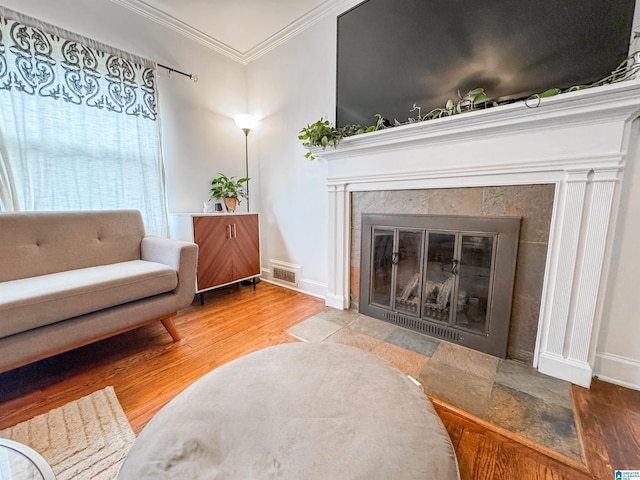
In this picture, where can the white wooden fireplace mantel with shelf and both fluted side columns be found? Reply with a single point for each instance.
(577, 141)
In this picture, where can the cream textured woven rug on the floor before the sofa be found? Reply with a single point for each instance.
(86, 439)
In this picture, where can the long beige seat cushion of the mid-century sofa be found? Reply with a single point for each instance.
(29, 303)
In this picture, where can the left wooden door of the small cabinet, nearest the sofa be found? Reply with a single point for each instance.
(215, 242)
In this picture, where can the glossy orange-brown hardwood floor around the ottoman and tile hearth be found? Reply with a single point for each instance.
(147, 369)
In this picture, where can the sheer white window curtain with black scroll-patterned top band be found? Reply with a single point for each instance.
(78, 125)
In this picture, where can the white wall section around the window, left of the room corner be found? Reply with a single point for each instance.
(199, 135)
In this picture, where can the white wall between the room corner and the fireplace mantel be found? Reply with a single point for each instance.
(288, 88)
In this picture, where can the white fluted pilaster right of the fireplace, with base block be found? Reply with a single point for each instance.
(588, 200)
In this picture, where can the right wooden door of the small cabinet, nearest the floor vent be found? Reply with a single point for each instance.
(246, 246)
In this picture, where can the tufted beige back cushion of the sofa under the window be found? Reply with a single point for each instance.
(38, 243)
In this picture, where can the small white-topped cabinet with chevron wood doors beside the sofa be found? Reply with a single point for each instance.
(229, 246)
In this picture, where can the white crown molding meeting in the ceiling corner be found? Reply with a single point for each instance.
(291, 30)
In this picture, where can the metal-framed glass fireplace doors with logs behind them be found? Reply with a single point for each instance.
(449, 277)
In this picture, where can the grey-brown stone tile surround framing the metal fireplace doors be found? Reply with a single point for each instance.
(532, 203)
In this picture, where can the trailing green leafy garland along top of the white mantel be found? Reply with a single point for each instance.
(323, 133)
